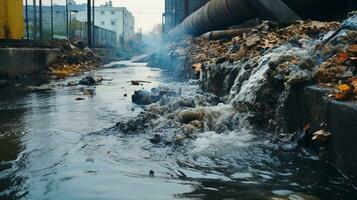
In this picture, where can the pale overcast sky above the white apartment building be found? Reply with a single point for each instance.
(147, 13)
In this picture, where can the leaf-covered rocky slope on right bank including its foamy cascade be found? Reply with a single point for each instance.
(254, 71)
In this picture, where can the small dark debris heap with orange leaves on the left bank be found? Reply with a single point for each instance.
(73, 58)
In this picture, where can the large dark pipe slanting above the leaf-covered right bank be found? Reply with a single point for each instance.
(220, 14)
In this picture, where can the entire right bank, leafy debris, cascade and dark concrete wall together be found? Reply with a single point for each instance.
(288, 80)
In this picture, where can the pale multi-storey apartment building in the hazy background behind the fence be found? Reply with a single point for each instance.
(117, 19)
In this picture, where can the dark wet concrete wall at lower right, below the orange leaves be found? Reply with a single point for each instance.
(311, 105)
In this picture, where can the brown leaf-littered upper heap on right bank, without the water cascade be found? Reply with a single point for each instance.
(323, 53)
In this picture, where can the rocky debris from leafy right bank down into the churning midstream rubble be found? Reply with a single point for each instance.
(253, 75)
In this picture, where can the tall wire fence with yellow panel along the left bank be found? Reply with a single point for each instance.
(45, 20)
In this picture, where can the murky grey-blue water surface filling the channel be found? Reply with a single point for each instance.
(54, 147)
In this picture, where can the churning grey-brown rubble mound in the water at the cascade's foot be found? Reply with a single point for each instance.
(180, 115)
